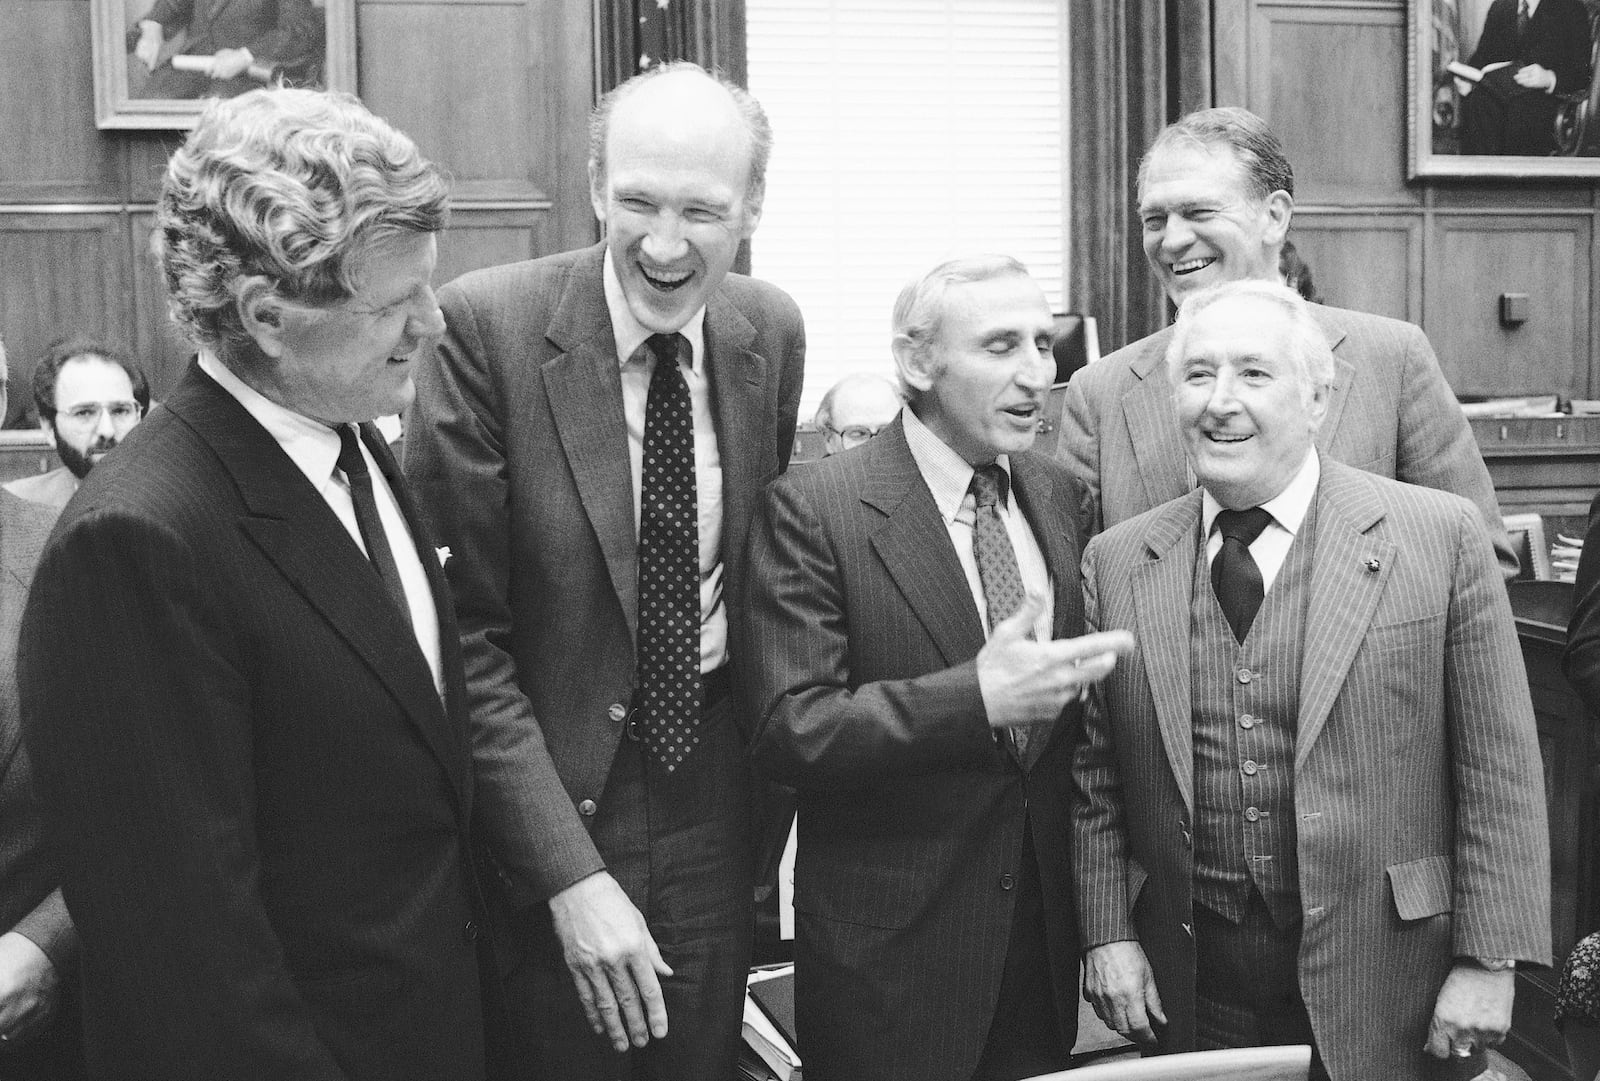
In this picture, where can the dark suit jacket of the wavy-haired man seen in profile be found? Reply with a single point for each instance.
(260, 799)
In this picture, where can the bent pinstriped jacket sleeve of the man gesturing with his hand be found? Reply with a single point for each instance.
(817, 727)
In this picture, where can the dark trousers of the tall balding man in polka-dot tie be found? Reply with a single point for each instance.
(679, 847)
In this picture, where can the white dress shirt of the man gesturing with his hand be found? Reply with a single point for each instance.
(950, 477)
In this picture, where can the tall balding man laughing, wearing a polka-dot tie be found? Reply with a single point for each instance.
(590, 445)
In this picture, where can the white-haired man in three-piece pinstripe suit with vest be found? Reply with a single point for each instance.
(1313, 808)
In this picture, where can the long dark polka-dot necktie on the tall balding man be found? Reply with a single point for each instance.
(670, 618)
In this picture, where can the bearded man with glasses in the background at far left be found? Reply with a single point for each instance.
(89, 397)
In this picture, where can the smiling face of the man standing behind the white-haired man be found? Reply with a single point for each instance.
(1202, 225)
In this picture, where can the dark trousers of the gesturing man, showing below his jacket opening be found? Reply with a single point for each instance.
(1025, 1037)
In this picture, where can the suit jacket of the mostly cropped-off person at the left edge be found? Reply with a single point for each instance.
(30, 872)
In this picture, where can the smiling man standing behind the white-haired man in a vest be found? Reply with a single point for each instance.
(1217, 194)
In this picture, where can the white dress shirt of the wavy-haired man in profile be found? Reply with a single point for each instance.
(314, 449)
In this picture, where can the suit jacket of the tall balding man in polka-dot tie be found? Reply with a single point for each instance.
(518, 450)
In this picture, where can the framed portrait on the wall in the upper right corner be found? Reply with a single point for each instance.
(1505, 89)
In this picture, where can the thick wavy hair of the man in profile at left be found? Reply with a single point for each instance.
(284, 185)
